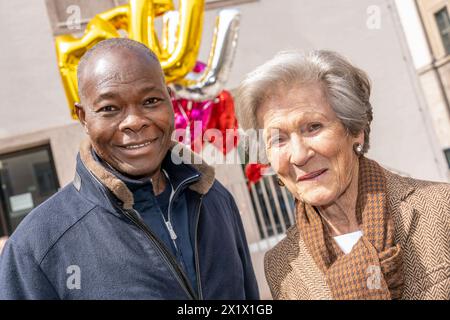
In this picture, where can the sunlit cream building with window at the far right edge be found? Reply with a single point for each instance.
(426, 25)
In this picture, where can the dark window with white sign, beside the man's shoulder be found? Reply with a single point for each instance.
(27, 178)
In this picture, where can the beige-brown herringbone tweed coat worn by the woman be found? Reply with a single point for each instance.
(421, 215)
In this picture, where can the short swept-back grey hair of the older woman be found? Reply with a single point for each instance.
(347, 87)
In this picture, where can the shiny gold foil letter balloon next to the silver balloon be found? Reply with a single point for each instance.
(139, 24)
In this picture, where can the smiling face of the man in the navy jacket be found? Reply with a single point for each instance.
(127, 111)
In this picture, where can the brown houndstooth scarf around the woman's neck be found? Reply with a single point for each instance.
(373, 269)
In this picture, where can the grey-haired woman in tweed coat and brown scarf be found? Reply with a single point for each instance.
(361, 231)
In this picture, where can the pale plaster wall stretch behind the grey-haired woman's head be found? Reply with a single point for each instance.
(402, 137)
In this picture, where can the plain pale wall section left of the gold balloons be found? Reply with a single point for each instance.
(31, 92)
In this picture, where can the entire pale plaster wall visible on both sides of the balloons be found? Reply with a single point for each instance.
(32, 97)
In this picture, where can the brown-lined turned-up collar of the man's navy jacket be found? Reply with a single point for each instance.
(180, 164)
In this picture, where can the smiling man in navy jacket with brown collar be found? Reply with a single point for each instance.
(134, 224)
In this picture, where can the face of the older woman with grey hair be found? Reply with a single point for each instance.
(307, 145)
